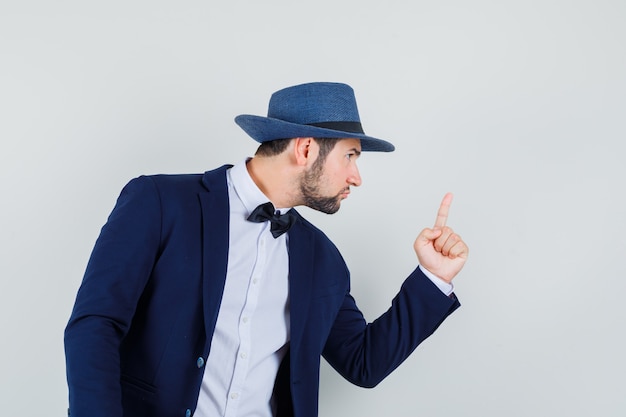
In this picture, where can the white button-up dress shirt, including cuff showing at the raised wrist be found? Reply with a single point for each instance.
(252, 330)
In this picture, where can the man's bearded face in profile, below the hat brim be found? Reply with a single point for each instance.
(327, 182)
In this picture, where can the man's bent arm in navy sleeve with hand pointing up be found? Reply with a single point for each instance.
(366, 353)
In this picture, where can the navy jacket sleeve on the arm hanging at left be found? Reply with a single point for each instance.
(117, 272)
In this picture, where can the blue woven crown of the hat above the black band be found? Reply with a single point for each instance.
(313, 103)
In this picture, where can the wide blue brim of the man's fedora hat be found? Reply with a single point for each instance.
(264, 129)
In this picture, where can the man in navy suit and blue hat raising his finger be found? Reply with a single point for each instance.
(208, 295)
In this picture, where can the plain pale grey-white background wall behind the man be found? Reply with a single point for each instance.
(518, 107)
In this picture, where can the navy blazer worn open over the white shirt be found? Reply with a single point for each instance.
(145, 313)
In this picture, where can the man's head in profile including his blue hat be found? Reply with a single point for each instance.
(317, 166)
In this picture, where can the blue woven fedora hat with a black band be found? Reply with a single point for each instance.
(318, 110)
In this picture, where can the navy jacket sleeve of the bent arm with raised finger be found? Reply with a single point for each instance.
(365, 353)
